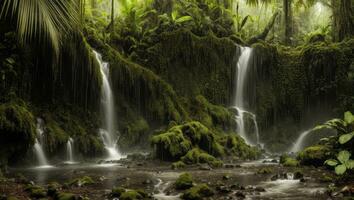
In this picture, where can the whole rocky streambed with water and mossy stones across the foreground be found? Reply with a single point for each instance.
(261, 179)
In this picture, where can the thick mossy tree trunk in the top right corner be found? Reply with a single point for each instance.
(343, 19)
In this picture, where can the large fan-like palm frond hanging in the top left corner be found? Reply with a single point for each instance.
(41, 20)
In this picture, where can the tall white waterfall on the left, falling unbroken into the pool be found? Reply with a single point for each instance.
(108, 131)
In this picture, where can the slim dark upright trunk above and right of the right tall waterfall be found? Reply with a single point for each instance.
(288, 21)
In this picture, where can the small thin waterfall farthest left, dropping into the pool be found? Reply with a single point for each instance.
(38, 149)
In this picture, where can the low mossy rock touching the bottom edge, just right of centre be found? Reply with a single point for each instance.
(198, 192)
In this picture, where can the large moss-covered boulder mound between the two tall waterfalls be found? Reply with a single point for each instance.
(195, 143)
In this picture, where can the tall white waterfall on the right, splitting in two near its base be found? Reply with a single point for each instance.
(239, 102)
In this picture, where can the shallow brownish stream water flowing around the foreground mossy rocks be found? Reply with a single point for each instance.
(158, 179)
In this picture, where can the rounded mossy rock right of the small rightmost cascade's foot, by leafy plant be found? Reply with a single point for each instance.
(314, 155)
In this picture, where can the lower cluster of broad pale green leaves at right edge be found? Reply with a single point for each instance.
(342, 164)
